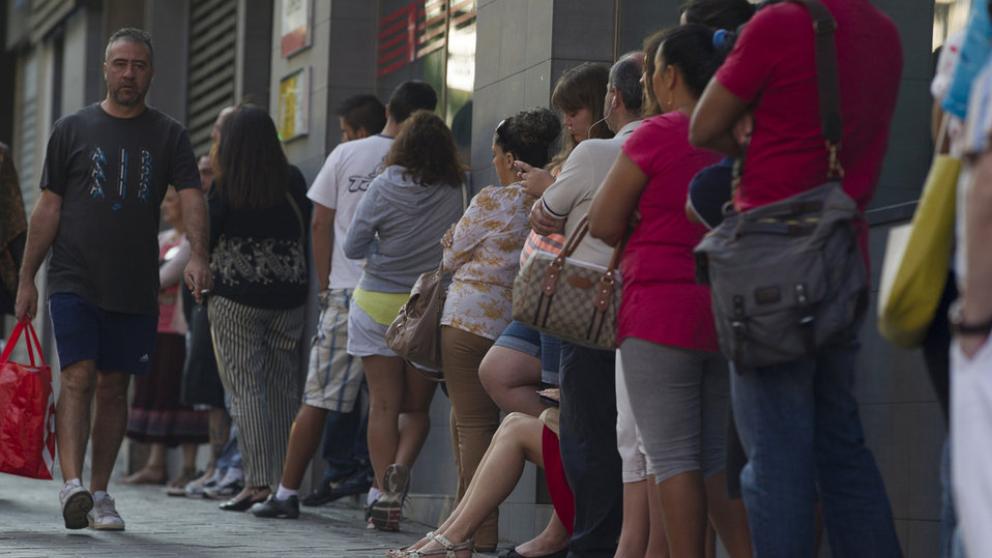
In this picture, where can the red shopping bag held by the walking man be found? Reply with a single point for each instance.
(27, 410)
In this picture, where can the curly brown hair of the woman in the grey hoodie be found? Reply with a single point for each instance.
(426, 150)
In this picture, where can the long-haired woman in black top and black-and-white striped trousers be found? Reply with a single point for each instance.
(258, 216)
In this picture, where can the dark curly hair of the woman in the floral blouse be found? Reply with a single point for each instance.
(528, 135)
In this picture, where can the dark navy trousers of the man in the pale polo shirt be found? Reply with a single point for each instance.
(589, 453)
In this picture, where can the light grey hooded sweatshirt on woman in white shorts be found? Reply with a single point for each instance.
(398, 228)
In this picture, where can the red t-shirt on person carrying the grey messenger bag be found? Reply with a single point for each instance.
(772, 67)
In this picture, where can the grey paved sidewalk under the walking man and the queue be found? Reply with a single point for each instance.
(159, 525)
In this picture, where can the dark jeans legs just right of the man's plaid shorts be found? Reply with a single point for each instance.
(345, 445)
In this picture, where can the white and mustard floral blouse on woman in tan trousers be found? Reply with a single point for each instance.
(482, 251)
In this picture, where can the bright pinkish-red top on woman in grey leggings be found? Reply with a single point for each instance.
(662, 303)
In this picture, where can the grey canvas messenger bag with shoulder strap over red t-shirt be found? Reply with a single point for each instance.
(788, 278)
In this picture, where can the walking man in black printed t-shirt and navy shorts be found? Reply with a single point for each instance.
(106, 171)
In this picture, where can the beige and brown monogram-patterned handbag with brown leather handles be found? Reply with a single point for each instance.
(573, 300)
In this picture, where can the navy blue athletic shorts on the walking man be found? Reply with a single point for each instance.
(117, 342)
